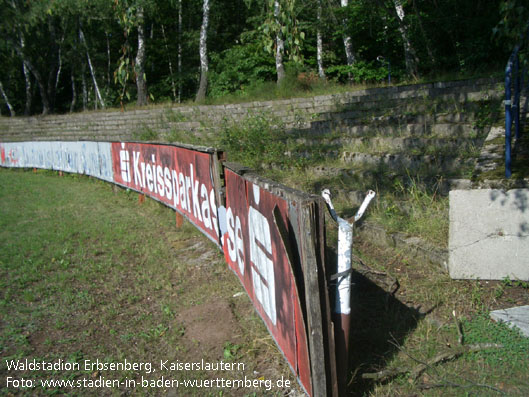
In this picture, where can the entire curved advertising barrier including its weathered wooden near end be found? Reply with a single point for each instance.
(272, 236)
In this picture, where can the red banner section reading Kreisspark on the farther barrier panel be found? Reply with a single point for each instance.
(181, 178)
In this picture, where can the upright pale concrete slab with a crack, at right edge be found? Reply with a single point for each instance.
(489, 234)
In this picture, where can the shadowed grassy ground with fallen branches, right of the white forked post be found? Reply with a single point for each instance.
(399, 331)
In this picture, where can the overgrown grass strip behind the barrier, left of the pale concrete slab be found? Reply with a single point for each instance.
(403, 204)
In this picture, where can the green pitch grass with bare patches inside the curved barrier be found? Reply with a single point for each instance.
(87, 273)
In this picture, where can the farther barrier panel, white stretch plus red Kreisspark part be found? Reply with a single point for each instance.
(179, 177)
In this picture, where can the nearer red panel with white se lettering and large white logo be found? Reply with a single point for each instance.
(254, 250)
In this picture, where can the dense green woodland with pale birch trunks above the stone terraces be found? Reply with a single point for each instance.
(68, 55)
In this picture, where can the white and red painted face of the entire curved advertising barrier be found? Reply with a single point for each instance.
(183, 179)
